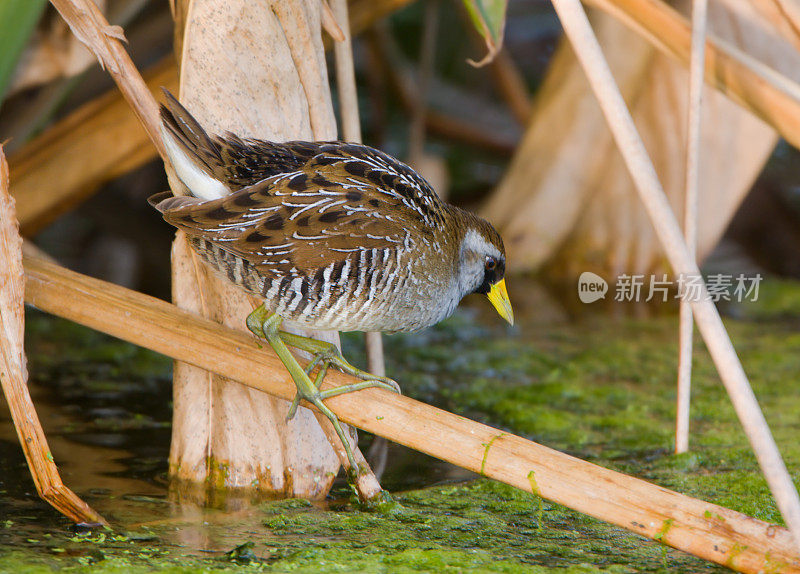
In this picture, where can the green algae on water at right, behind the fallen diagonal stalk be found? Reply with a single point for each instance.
(611, 400)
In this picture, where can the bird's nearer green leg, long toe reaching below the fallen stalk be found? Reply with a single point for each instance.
(262, 324)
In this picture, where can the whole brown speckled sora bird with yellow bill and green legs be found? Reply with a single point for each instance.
(331, 235)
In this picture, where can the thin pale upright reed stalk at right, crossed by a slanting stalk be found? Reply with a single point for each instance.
(694, 117)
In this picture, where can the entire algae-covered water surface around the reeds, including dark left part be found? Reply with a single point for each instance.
(598, 385)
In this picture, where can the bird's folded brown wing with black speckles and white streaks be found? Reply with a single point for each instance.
(345, 200)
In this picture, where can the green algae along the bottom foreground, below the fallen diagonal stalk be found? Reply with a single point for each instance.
(482, 526)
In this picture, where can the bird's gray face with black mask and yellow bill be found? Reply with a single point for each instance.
(481, 269)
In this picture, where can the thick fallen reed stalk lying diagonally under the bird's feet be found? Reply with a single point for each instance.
(703, 529)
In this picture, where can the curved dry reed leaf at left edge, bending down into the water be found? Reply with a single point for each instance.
(13, 371)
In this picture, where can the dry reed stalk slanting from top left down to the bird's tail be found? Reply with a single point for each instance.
(105, 41)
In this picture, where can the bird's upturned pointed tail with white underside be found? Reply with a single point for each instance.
(195, 156)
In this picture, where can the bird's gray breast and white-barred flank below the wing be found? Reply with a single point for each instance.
(369, 290)
